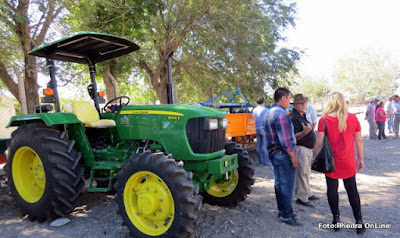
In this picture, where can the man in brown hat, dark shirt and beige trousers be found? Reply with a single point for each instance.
(305, 138)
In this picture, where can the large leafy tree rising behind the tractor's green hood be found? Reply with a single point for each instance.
(218, 45)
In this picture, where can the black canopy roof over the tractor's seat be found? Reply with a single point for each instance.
(86, 48)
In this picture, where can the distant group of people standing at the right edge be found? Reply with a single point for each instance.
(379, 112)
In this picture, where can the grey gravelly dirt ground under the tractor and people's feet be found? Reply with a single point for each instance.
(378, 184)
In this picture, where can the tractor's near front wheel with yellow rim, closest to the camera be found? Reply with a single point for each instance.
(156, 197)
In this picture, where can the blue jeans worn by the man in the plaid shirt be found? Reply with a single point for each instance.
(285, 181)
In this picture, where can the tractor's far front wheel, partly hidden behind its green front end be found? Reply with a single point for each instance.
(231, 192)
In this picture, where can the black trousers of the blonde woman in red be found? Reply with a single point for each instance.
(352, 192)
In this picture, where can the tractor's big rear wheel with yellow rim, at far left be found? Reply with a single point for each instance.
(43, 170)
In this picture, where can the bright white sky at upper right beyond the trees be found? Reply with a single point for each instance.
(329, 30)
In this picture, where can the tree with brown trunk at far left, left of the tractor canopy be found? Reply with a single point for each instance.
(26, 24)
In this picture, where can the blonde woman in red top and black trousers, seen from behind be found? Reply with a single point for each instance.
(343, 131)
